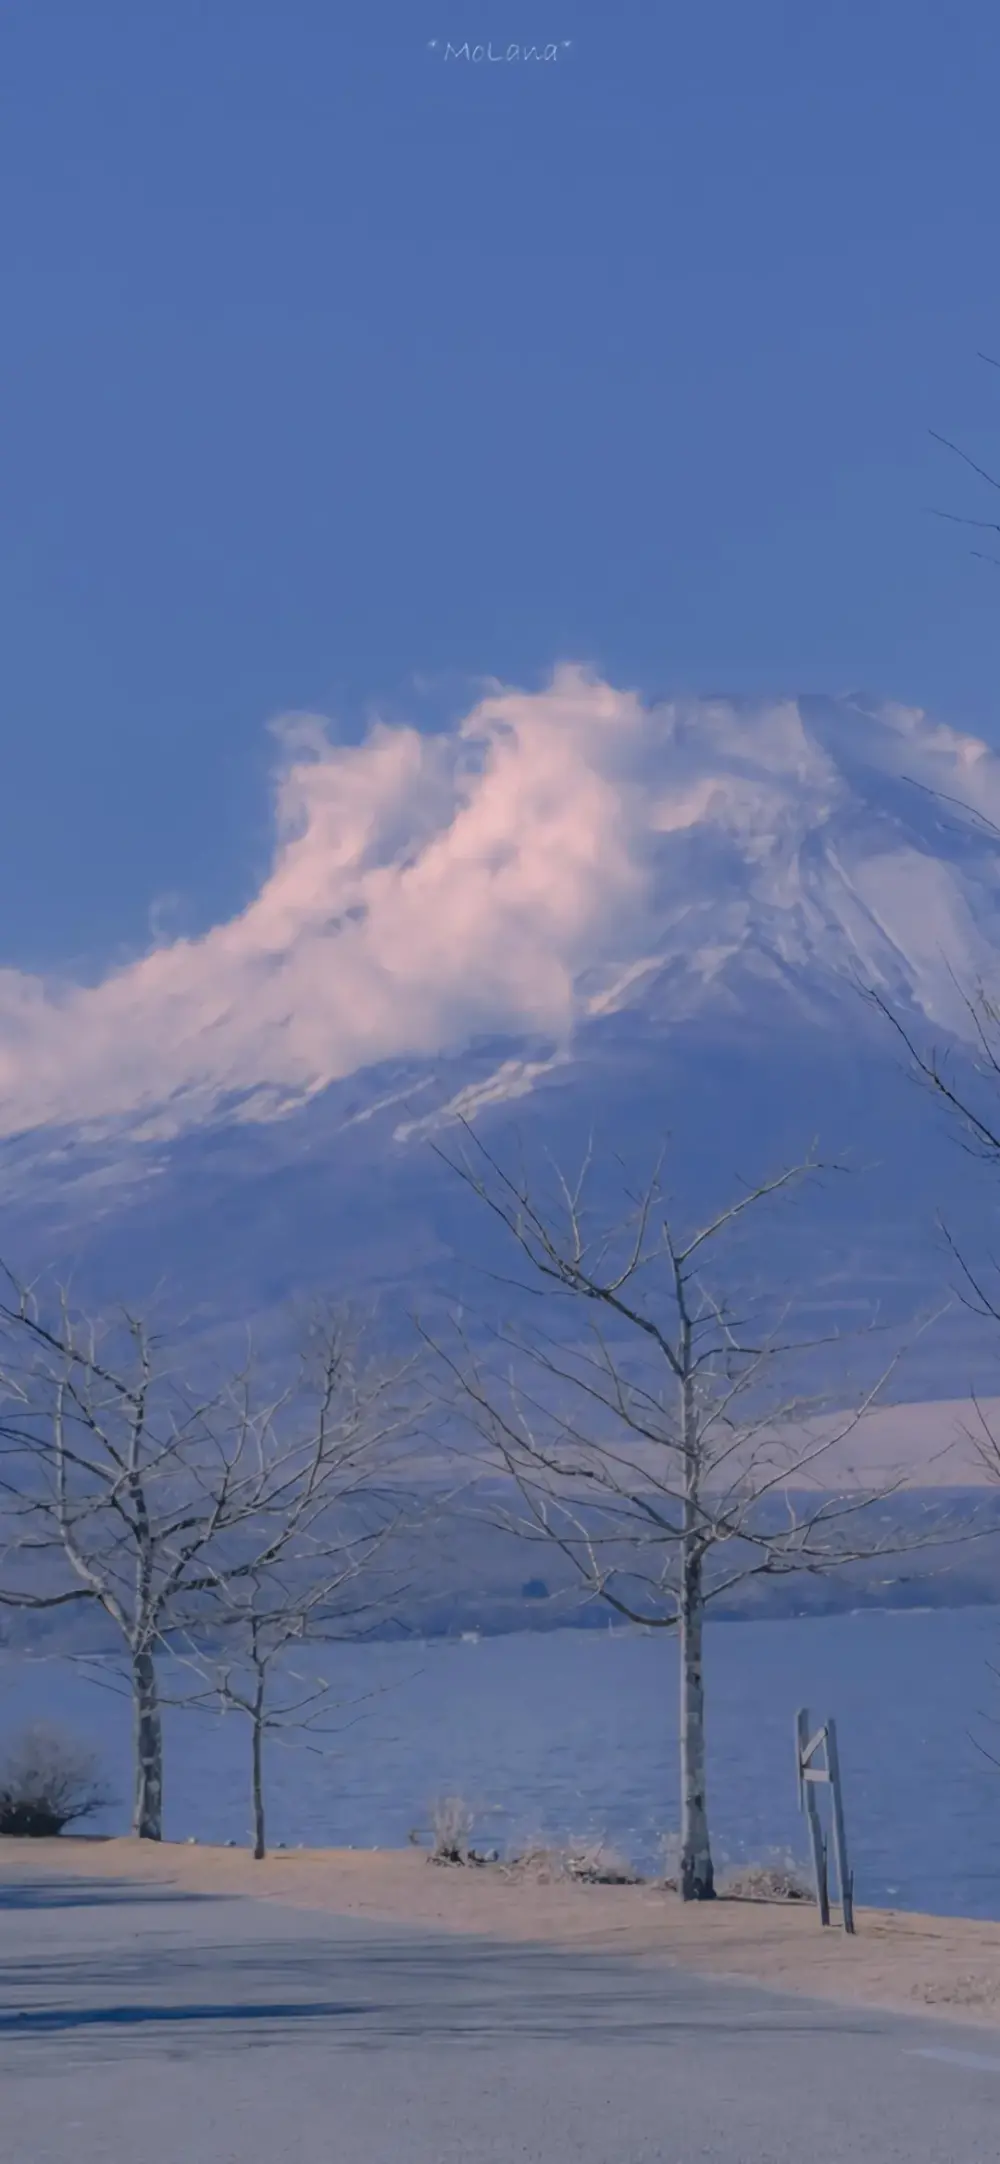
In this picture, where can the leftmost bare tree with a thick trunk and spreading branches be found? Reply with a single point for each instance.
(127, 1490)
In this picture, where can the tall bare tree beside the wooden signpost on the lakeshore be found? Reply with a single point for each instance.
(661, 1455)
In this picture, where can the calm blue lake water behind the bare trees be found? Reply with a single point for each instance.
(575, 1737)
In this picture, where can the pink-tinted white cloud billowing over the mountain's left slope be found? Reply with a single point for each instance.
(423, 888)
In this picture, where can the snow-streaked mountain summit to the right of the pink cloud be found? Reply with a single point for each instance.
(808, 845)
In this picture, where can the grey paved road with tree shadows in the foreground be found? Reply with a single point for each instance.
(146, 2027)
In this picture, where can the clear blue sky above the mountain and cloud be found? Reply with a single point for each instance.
(339, 373)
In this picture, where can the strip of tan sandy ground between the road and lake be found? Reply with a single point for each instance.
(897, 1962)
